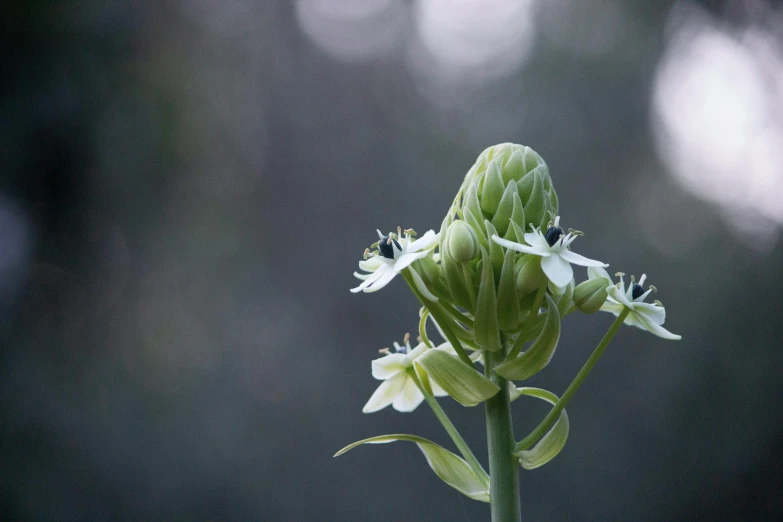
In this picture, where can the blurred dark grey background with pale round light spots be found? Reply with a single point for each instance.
(187, 186)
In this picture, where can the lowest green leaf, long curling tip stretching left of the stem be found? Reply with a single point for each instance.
(450, 468)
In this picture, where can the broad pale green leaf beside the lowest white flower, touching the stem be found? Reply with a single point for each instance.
(462, 382)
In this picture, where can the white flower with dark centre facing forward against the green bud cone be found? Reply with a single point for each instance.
(552, 246)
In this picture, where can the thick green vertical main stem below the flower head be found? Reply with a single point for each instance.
(503, 470)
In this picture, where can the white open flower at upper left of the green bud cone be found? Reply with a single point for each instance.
(393, 255)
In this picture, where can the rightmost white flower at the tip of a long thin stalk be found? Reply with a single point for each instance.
(647, 316)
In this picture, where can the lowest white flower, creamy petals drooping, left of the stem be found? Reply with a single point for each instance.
(398, 387)
